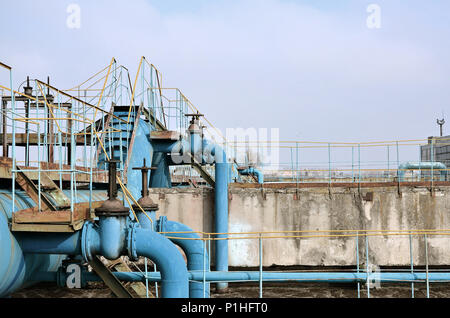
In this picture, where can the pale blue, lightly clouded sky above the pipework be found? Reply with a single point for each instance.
(311, 68)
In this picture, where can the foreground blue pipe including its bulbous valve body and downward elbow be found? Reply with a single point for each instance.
(110, 239)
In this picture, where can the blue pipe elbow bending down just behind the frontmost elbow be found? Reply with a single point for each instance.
(197, 257)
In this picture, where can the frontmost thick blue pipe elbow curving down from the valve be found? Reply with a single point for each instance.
(175, 283)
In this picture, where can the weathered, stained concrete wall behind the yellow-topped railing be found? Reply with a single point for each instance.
(319, 209)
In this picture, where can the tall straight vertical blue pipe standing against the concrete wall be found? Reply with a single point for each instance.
(221, 218)
